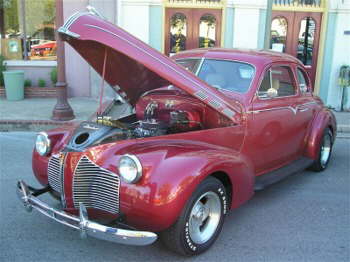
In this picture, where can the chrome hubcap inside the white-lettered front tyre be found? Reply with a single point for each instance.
(204, 217)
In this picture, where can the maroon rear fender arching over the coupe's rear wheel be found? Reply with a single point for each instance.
(325, 118)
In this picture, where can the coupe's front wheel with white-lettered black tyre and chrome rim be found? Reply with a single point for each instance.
(201, 220)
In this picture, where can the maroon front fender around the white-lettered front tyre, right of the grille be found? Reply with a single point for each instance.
(171, 172)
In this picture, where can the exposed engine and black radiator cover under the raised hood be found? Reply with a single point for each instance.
(155, 122)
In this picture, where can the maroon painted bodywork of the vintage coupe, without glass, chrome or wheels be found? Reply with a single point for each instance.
(248, 145)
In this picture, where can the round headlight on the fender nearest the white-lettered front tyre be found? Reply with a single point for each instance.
(130, 168)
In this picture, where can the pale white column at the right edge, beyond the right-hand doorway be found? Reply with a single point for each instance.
(341, 52)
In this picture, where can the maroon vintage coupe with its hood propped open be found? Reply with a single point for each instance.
(210, 126)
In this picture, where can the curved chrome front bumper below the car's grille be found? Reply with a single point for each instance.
(82, 223)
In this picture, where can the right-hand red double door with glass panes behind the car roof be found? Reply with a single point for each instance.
(297, 34)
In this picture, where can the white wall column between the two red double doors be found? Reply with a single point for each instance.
(247, 23)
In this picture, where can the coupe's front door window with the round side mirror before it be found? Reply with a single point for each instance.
(278, 82)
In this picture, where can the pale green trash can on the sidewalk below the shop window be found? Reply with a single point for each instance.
(14, 84)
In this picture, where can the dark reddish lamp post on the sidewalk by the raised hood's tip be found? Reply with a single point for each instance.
(62, 110)
